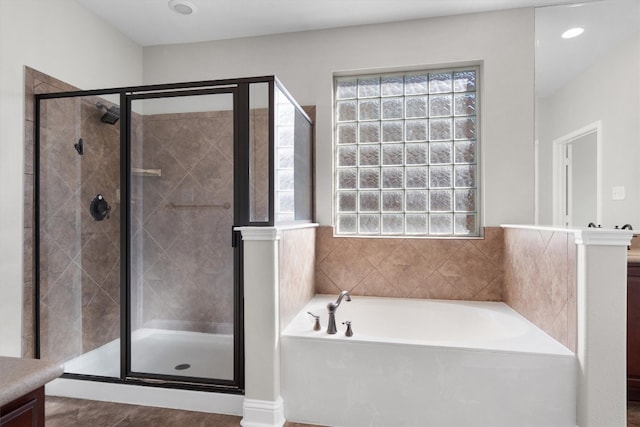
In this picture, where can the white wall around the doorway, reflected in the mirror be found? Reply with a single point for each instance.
(609, 90)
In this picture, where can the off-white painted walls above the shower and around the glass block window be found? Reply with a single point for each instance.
(60, 38)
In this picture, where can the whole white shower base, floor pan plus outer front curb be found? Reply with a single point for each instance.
(158, 351)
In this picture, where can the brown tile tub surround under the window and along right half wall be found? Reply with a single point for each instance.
(495, 268)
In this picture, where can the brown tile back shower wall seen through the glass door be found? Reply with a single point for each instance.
(182, 257)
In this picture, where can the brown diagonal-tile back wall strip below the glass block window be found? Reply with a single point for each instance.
(461, 269)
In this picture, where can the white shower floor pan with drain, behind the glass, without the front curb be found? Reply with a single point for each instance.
(160, 351)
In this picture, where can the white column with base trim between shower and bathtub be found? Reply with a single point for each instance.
(263, 406)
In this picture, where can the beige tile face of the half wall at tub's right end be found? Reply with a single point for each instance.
(540, 280)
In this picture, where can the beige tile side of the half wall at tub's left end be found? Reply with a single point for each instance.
(297, 249)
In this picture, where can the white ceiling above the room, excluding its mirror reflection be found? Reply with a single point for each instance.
(152, 22)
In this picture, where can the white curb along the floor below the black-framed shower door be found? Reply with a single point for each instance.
(215, 403)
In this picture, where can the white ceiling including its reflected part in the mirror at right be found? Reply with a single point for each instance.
(153, 22)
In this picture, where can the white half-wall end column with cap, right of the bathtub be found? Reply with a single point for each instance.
(601, 326)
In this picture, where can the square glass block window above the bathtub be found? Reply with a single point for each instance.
(406, 147)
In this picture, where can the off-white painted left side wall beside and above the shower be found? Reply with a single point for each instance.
(60, 38)
